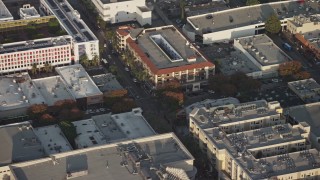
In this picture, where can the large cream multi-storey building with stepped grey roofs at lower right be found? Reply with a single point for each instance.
(251, 141)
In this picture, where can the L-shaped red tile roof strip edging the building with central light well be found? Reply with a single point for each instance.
(158, 71)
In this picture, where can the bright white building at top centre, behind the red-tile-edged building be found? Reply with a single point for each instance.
(117, 11)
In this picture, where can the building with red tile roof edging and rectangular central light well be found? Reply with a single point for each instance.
(165, 54)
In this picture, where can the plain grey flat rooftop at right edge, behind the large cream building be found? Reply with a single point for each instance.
(308, 113)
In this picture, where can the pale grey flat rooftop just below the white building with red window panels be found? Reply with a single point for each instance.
(78, 81)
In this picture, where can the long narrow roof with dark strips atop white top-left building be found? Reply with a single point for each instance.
(74, 25)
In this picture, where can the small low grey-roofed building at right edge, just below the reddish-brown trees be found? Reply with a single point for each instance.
(308, 90)
